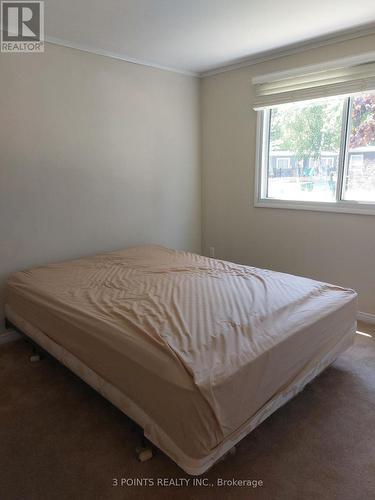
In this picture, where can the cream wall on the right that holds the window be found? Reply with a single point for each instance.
(337, 248)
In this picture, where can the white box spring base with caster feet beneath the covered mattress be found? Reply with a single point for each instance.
(135, 413)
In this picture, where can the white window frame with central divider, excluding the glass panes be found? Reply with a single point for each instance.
(261, 172)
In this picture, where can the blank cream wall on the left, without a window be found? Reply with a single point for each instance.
(95, 154)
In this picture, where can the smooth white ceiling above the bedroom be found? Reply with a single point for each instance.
(197, 35)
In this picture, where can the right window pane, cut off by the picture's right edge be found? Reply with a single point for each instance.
(359, 182)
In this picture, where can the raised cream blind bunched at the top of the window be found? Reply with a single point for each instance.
(339, 81)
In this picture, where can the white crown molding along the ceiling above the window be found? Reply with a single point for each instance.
(294, 48)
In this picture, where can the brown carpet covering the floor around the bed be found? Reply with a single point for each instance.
(61, 440)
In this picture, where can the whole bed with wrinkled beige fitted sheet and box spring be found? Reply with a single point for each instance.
(197, 351)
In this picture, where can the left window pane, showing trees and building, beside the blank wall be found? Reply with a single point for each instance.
(304, 150)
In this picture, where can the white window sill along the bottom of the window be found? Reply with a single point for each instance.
(346, 207)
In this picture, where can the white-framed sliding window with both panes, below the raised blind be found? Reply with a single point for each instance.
(318, 154)
